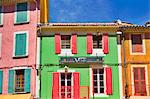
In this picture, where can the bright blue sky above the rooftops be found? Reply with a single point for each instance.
(132, 11)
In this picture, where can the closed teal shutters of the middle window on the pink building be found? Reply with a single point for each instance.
(20, 46)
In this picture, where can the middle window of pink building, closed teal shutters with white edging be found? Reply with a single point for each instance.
(21, 44)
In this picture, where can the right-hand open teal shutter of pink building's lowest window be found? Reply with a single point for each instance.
(27, 80)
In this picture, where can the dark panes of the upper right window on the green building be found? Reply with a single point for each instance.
(97, 41)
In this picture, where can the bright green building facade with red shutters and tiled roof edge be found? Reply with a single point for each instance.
(79, 61)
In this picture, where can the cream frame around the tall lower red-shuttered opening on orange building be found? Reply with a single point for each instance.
(146, 78)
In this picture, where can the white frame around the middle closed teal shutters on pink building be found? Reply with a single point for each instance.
(27, 43)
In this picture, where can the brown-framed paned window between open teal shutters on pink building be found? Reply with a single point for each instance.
(19, 80)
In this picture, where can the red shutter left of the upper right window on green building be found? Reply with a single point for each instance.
(89, 43)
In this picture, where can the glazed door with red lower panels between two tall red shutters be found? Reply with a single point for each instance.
(66, 85)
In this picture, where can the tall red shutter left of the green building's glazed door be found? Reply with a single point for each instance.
(55, 90)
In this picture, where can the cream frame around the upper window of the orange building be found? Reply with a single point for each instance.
(143, 45)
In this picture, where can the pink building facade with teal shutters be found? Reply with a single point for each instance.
(18, 28)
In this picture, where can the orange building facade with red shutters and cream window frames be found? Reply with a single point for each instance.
(135, 54)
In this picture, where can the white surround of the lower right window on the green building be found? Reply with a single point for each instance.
(91, 81)
